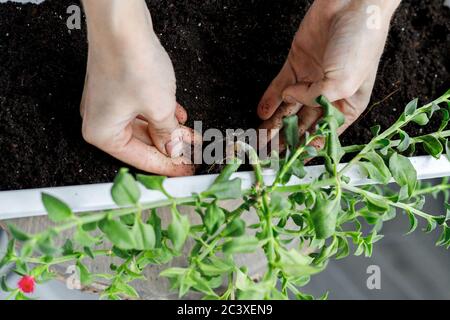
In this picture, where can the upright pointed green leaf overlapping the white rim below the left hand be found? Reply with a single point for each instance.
(125, 191)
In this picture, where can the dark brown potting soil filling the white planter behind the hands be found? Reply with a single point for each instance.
(225, 54)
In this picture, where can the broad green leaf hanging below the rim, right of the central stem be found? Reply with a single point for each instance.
(324, 216)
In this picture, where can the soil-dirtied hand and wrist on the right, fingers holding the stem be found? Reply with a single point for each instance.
(335, 53)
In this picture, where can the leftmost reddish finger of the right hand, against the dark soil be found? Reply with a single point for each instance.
(273, 97)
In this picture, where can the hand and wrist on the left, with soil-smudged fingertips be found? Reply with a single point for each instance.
(129, 107)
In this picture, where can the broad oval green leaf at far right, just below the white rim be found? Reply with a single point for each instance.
(403, 172)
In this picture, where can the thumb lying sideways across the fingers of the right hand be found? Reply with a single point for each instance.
(307, 93)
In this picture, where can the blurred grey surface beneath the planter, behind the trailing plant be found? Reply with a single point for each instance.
(412, 267)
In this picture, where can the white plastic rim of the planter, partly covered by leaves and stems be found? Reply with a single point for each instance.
(84, 198)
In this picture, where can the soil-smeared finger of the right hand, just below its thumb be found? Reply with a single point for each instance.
(273, 125)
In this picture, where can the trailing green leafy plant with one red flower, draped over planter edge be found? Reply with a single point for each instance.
(299, 227)
